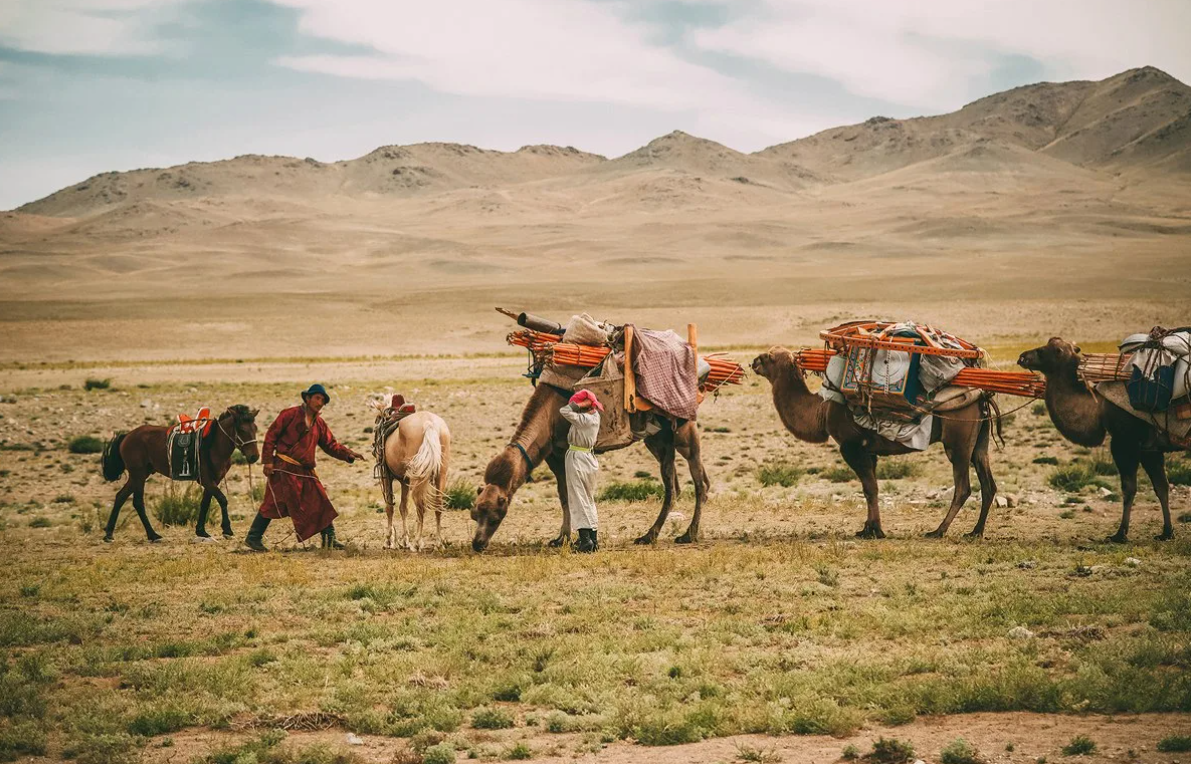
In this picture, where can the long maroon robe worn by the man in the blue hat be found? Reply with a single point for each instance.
(295, 492)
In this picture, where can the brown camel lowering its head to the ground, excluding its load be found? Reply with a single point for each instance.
(543, 437)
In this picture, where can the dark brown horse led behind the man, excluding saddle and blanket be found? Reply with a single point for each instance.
(142, 452)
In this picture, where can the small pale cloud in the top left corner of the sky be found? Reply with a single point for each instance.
(97, 28)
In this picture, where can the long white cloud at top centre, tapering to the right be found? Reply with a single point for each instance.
(539, 49)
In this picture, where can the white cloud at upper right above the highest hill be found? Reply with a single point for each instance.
(940, 55)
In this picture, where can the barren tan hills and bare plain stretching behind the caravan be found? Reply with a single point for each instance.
(1075, 194)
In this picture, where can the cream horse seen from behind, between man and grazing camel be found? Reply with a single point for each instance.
(417, 456)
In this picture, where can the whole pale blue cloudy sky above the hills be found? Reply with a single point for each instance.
(91, 86)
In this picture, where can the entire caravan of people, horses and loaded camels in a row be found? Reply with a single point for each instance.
(887, 389)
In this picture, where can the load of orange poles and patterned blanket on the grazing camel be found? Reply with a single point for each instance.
(666, 376)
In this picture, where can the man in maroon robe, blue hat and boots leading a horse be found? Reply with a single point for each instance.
(292, 487)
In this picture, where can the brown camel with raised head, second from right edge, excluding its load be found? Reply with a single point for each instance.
(965, 434)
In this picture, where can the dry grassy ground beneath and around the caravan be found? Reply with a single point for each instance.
(780, 623)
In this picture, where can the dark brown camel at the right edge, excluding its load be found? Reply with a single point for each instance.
(1086, 419)
